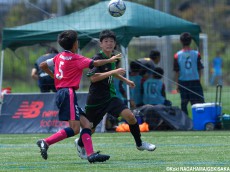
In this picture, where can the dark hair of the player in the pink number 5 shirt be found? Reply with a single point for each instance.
(67, 39)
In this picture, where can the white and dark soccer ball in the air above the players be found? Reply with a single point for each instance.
(116, 8)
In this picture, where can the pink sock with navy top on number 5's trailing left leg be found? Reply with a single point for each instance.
(60, 135)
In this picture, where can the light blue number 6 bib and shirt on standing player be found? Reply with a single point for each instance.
(188, 63)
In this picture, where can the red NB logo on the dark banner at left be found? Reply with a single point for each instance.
(29, 110)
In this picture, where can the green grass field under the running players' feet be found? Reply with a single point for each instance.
(175, 149)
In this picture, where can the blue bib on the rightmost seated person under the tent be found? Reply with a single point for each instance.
(153, 92)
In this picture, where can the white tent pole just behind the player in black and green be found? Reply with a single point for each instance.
(125, 54)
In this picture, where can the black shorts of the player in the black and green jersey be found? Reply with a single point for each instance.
(96, 113)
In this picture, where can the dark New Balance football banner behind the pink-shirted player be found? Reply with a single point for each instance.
(32, 113)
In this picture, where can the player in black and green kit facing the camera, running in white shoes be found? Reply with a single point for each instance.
(102, 98)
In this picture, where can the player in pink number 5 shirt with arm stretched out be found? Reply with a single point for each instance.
(67, 75)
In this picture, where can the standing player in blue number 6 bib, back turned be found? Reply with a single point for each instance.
(188, 66)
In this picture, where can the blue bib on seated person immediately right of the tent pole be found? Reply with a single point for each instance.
(135, 93)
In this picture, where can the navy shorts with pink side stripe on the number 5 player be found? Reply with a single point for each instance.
(66, 101)
